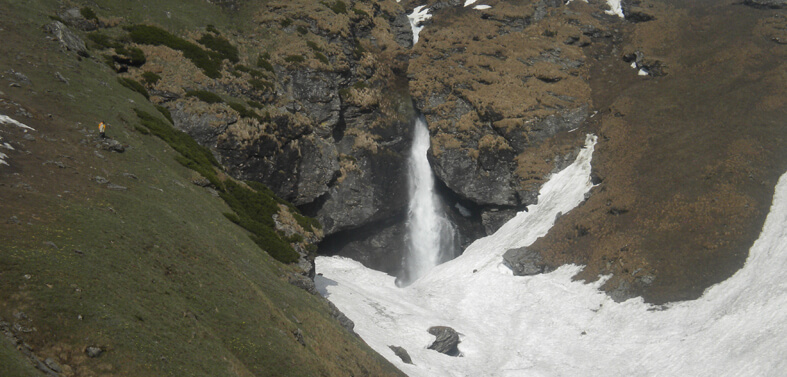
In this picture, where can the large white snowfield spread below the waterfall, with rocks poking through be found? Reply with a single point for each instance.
(548, 325)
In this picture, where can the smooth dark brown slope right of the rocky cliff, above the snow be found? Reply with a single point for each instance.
(687, 161)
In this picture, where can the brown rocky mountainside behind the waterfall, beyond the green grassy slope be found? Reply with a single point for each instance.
(509, 91)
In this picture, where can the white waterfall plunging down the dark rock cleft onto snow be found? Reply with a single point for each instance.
(430, 235)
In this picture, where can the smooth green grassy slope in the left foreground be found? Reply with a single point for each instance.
(155, 274)
